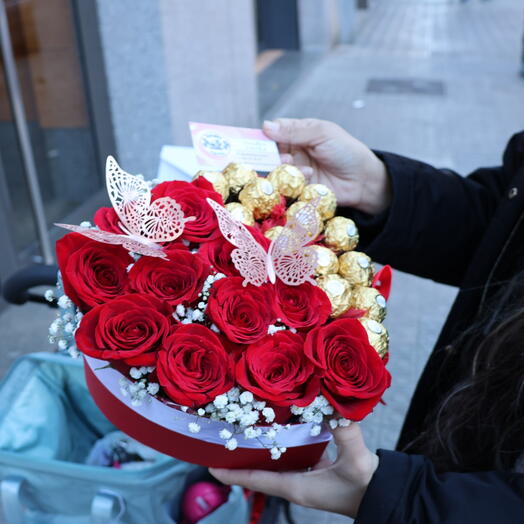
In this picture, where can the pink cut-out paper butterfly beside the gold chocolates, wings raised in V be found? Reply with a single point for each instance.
(288, 257)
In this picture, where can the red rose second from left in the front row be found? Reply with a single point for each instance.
(193, 367)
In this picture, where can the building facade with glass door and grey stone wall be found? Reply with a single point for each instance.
(81, 79)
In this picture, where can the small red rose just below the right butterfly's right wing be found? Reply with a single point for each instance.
(303, 306)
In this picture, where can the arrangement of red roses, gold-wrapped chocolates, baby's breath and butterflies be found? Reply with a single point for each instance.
(234, 298)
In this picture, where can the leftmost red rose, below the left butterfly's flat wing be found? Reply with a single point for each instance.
(92, 272)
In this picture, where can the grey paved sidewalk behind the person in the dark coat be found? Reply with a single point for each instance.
(435, 80)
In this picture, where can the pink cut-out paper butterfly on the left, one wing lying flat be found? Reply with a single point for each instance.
(144, 223)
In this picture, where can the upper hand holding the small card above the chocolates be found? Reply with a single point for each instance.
(329, 155)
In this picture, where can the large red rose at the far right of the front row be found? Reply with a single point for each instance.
(354, 375)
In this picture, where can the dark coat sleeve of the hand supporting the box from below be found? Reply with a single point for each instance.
(405, 489)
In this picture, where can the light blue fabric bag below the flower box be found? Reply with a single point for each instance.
(48, 424)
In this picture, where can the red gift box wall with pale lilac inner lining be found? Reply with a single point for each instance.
(164, 428)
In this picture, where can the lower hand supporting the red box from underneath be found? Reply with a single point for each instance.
(332, 486)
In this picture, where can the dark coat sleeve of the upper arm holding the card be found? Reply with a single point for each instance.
(437, 217)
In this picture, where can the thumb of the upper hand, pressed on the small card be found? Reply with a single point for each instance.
(296, 131)
